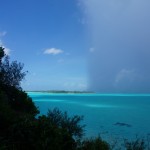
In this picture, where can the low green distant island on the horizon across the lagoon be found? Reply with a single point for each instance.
(62, 91)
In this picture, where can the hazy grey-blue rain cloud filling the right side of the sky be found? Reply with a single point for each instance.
(120, 37)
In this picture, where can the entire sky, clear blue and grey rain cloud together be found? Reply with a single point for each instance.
(94, 45)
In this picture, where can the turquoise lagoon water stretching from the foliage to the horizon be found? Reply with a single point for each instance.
(108, 115)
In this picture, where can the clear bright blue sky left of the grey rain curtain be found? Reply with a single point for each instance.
(49, 38)
